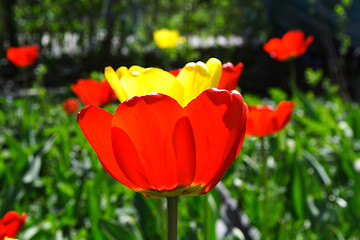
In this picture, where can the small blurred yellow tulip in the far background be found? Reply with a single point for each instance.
(165, 38)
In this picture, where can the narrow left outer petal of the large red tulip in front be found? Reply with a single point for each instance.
(95, 123)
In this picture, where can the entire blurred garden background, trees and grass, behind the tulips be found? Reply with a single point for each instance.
(49, 171)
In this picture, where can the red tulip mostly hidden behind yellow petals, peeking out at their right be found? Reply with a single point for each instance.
(229, 75)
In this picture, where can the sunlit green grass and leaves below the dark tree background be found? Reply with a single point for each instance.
(49, 171)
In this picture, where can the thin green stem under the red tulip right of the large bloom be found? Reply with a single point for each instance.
(265, 179)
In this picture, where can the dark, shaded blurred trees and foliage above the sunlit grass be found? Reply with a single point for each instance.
(83, 36)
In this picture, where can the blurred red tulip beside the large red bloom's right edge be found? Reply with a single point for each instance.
(264, 120)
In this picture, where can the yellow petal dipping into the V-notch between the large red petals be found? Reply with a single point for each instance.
(196, 78)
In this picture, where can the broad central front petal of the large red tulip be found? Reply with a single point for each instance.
(153, 142)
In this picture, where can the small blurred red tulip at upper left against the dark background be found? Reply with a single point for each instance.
(23, 56)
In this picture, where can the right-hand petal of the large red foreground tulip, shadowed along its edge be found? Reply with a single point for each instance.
(218, 118)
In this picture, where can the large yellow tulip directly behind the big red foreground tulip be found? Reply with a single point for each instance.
(193, 79)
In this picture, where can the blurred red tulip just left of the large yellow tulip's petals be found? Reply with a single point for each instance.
(93, 92)
